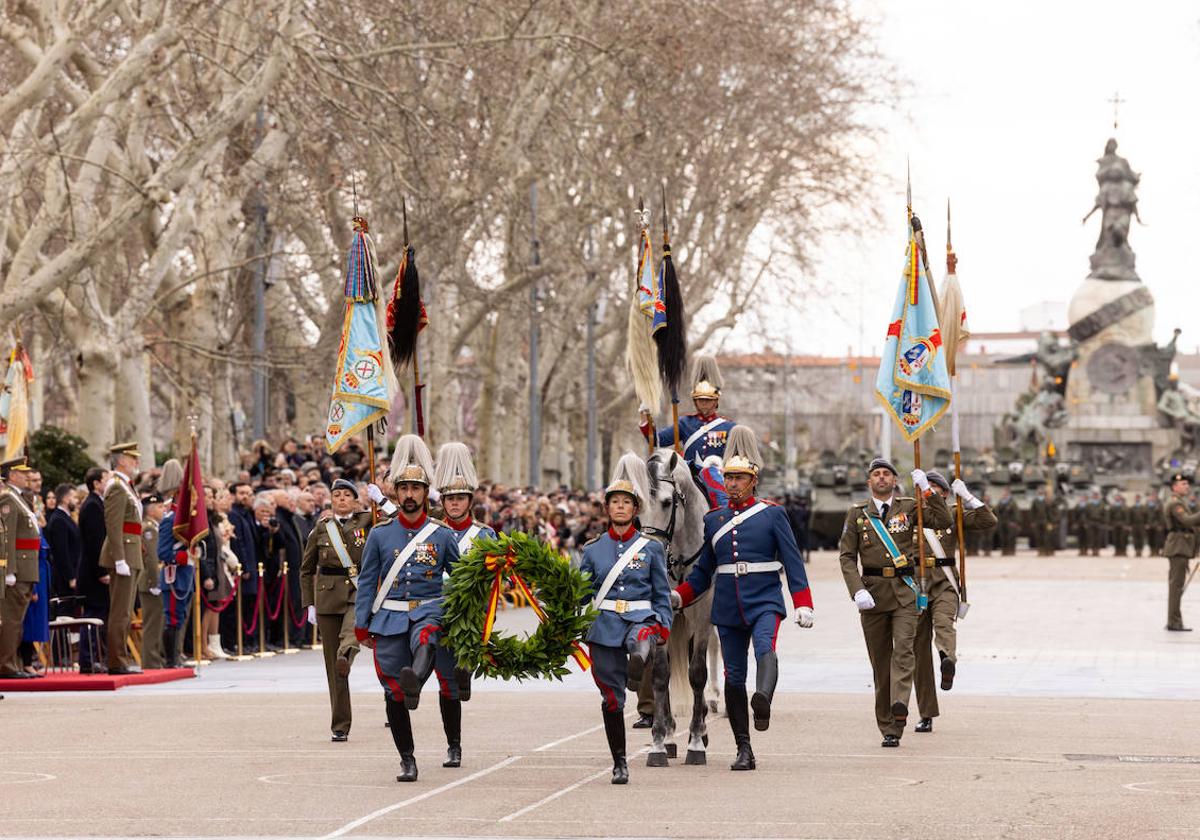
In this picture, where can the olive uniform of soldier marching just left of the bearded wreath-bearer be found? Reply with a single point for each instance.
(327, 585)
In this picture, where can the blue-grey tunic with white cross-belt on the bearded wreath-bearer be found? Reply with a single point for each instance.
(421, 580)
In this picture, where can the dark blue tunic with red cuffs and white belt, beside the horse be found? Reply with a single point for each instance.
(741, 601)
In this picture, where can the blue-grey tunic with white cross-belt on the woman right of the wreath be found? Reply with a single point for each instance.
(645, 579)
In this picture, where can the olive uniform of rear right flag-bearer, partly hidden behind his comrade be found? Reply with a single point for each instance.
(937, 625)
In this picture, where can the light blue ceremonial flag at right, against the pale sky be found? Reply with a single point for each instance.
(914, 385)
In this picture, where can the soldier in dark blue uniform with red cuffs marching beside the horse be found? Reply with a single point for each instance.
(746, 547)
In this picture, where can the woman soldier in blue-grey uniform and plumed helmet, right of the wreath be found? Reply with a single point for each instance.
(631, 591)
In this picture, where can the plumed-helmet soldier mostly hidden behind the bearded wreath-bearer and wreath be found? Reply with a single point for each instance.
(457, 482)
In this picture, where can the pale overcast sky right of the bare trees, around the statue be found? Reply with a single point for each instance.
(1009, 112)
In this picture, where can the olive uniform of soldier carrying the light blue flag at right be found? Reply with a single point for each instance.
(890, 629)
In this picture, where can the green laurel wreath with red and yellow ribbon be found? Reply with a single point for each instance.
(561, 596)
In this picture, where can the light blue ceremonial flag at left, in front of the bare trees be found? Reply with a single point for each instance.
(361, 388)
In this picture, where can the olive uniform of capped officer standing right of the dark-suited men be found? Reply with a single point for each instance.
(123, 542)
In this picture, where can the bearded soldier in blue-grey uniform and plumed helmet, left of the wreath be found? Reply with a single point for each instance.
(399, 604)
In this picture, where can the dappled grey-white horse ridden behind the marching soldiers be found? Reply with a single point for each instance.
(675, 514)
